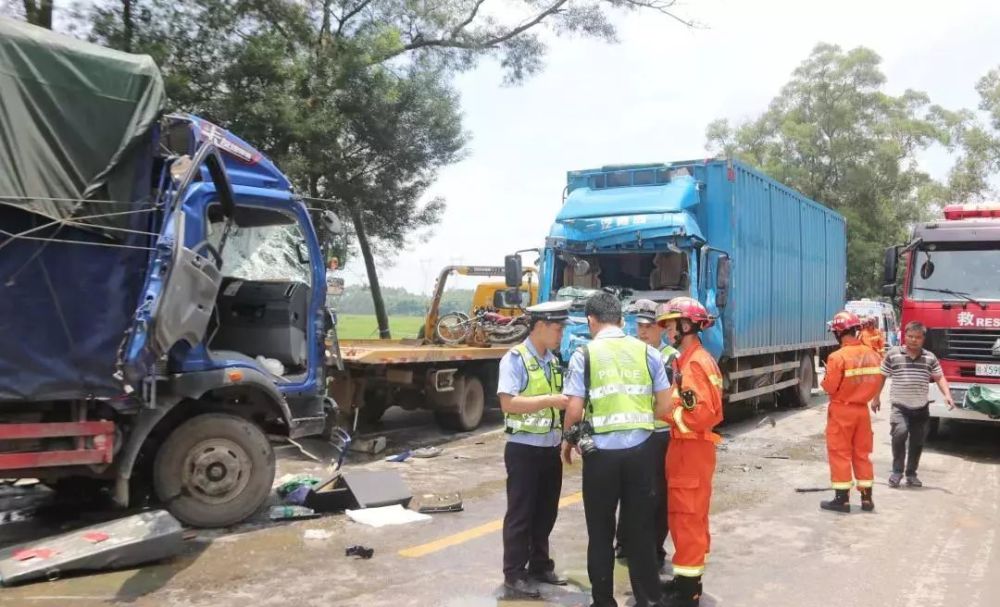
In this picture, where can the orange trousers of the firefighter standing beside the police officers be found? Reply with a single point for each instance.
(690, 467)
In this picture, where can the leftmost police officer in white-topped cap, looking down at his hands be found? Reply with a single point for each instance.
(529, 388)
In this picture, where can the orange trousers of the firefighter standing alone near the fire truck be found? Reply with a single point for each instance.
(849, 444)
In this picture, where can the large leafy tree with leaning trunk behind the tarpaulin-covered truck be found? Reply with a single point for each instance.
(352, 98)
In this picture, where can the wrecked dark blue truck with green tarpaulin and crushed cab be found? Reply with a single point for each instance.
(162, 290)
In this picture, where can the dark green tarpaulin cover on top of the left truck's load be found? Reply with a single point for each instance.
(70, 114)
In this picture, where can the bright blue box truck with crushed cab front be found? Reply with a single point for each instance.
(768, 262)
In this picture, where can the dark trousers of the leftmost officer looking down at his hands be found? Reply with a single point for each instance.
(534, 480)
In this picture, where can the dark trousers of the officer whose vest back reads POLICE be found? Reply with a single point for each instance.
(625, 476)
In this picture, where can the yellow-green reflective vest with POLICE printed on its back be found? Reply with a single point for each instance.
(619, 385)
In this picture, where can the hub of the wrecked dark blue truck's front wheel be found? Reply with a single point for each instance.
(217, 470)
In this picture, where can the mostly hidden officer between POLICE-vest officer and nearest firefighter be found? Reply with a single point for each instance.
(651, 333)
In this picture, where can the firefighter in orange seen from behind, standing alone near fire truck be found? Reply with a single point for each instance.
(852, 380)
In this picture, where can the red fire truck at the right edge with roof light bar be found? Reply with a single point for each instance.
(952, 285)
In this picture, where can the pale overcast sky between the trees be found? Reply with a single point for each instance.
(649, 98)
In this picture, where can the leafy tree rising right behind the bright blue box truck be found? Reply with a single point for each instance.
(835, 135)
